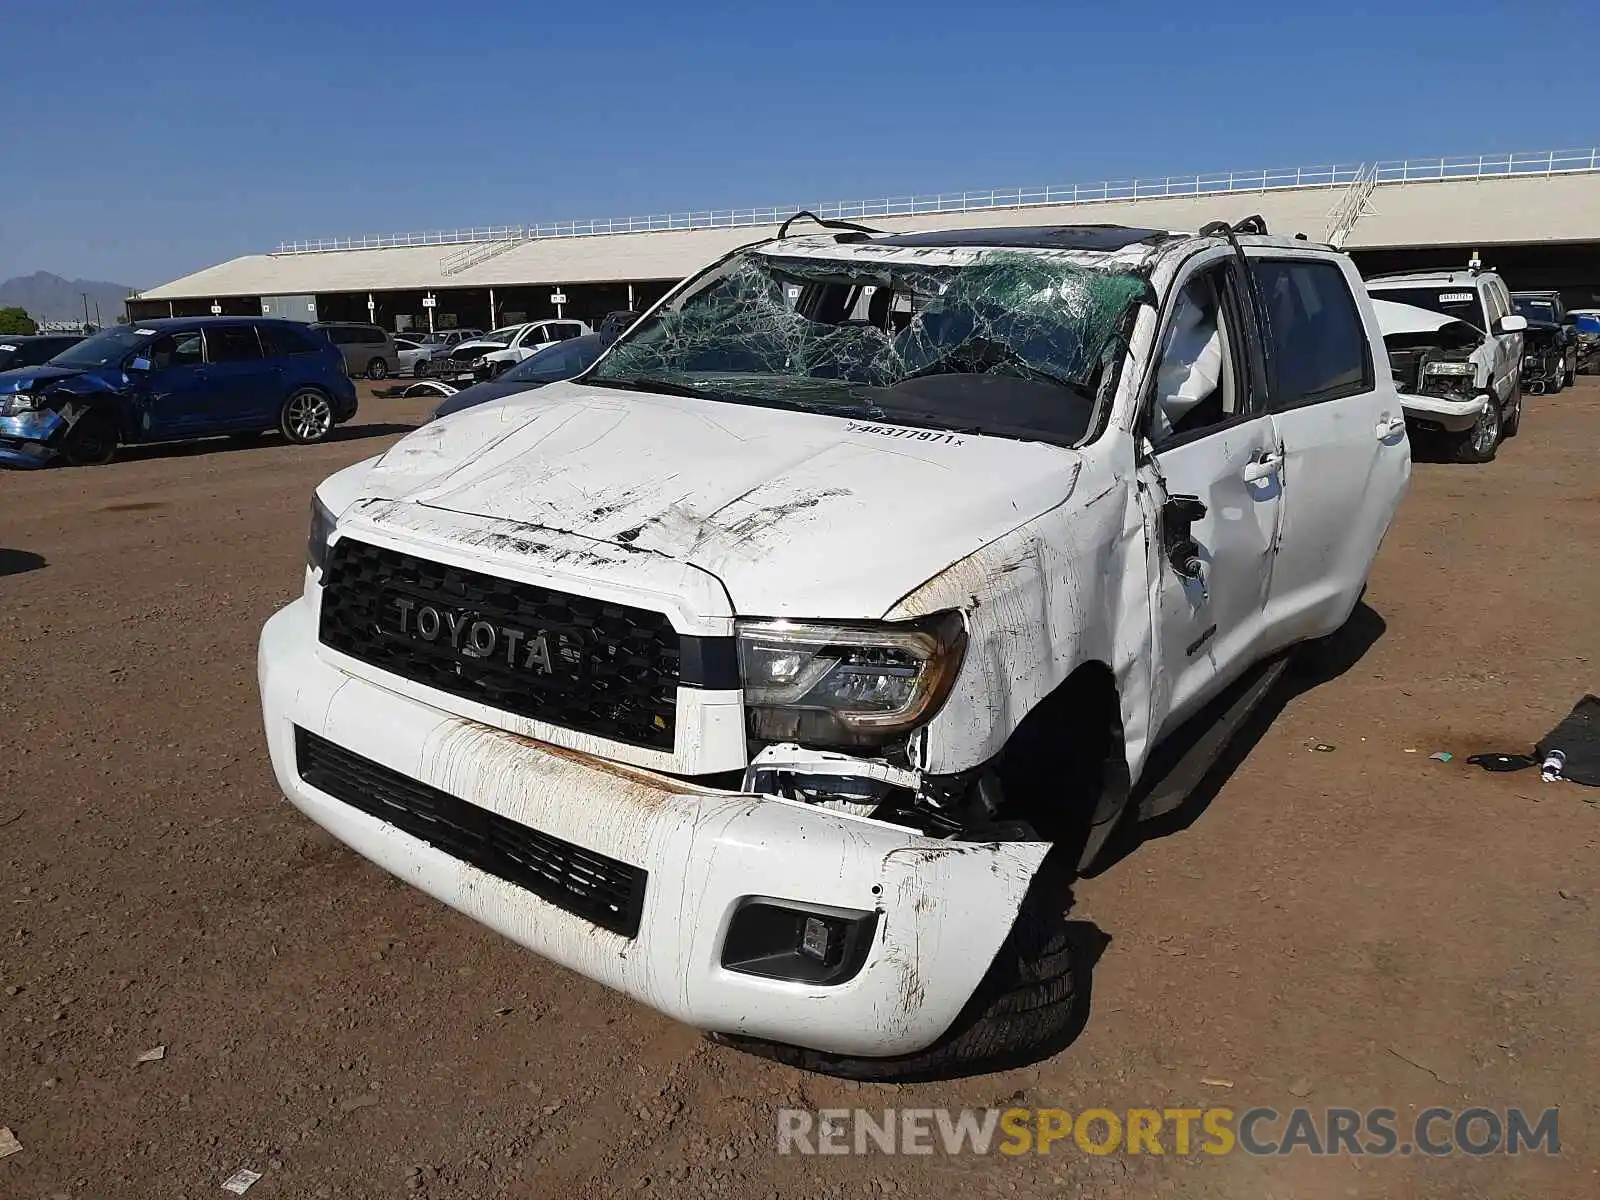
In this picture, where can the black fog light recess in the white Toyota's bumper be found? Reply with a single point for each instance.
(798, 942)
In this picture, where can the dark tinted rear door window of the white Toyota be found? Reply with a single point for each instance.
(1319, 345)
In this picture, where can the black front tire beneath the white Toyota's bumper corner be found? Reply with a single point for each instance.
(1028, 1006)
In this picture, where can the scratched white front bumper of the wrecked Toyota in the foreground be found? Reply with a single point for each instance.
(943, 906)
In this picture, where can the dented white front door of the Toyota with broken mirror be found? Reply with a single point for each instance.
(1214, 487)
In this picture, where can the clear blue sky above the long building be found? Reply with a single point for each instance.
(145, 142)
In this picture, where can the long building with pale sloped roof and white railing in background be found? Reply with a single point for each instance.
(1537, 218)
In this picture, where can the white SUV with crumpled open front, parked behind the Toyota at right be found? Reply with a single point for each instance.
(1455, 350)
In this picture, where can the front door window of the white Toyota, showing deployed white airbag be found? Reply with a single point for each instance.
(1199, 383)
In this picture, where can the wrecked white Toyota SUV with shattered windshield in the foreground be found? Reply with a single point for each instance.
(759, 671)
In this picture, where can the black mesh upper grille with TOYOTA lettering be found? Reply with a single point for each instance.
(574, 662)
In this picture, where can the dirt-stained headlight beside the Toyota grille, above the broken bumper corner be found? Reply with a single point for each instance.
(847, 686)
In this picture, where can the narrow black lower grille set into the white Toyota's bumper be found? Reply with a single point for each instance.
(583, 882)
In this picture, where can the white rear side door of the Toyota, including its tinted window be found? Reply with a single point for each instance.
(1343, 433)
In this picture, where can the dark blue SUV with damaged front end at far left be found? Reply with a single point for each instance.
(172, 380)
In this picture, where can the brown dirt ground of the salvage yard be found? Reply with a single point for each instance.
(1351, 927)
